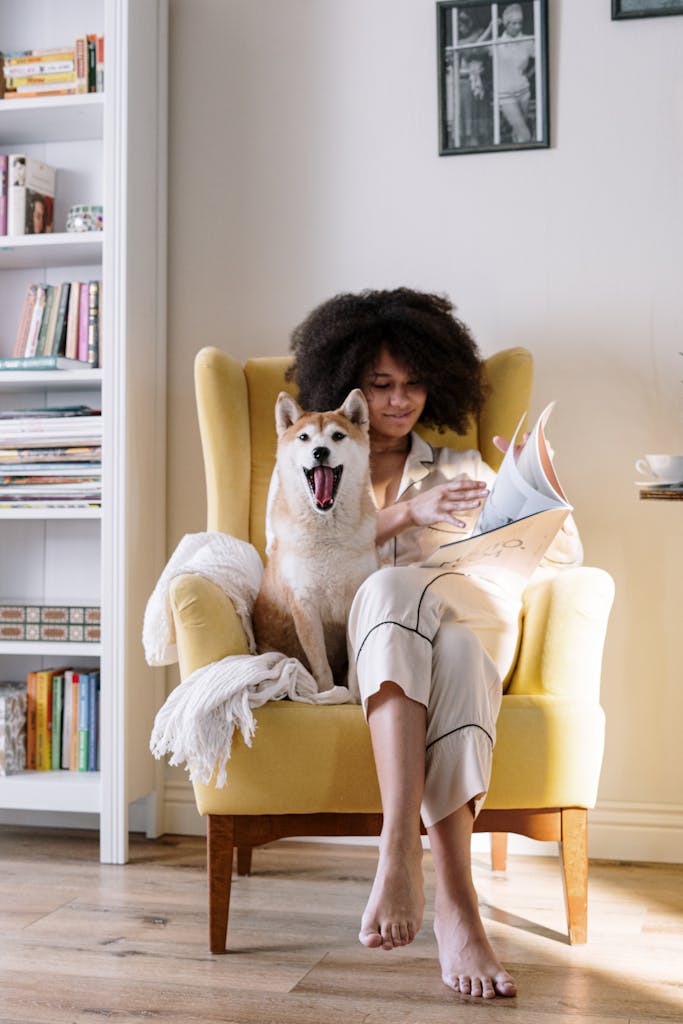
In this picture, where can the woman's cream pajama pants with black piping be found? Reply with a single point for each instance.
(448, 641)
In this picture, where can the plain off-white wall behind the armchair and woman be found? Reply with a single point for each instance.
(305, 162)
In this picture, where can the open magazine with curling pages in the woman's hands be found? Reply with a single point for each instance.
(520, 520)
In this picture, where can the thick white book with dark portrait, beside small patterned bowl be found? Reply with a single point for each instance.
(30, 196)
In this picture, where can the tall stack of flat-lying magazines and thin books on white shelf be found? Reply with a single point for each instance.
(51, 458)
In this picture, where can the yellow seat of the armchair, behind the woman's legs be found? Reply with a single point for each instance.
(308, 760)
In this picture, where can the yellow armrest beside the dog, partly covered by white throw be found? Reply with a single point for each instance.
(207, 627)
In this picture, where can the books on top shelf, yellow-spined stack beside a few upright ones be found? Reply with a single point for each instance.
(76, 68)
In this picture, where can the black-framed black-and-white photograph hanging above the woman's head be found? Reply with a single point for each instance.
(493, 76)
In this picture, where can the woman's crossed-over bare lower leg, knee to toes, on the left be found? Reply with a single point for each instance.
(396, 907)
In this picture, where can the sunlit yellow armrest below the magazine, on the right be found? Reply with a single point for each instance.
(564, 633)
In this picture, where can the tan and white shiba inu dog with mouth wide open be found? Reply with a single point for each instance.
(324, 526)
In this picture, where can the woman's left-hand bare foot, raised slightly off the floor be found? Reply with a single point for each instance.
(394, 914)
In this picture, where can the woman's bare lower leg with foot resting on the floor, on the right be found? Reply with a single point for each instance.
(468, 963)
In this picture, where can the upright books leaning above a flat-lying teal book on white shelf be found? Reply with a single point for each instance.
(60, 328)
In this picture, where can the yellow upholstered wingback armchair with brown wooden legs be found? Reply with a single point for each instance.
(311, 771)
